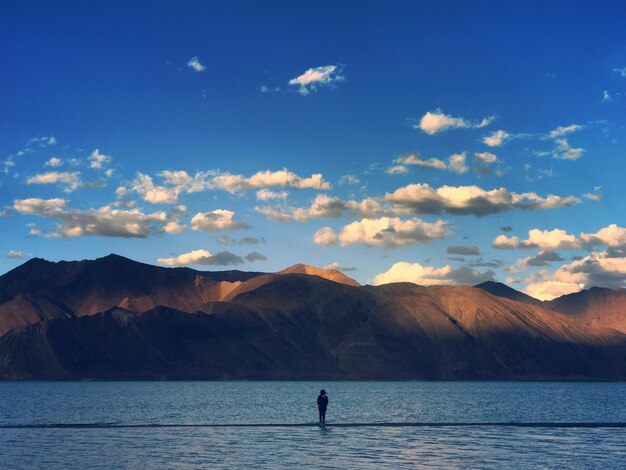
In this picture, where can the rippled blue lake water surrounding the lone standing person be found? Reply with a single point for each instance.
(207, 424)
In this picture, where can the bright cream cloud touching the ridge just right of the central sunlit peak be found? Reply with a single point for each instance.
(428, 275)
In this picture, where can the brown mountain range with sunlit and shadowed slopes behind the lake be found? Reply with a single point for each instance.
(114, 318)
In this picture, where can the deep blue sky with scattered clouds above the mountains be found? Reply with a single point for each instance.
(433, 142)
